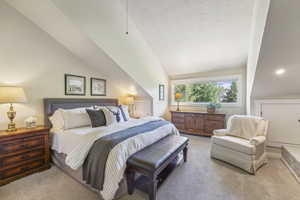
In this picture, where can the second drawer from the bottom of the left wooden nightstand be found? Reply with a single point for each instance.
(12, 160)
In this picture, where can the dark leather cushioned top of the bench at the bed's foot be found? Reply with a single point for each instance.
(155, 155)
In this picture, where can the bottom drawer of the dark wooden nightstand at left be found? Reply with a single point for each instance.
(21, 169)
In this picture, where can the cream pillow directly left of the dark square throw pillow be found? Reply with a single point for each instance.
(74, 118)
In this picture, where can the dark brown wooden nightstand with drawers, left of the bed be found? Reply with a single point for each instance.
(23, 152)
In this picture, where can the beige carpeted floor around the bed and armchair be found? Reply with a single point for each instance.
(201, 178)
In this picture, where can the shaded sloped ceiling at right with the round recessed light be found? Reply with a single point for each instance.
(280, 49)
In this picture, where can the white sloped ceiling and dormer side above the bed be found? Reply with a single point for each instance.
(94, 29)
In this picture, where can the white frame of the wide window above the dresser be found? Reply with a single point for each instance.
(237, 78)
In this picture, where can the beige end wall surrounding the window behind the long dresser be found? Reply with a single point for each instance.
(229, 110)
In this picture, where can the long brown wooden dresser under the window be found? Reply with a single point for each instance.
(198, 123)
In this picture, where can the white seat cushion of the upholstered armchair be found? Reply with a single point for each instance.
(234, 143)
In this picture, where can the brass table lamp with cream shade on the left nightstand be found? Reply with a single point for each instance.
(12, 95)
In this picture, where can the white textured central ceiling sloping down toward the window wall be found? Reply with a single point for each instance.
(195, 35)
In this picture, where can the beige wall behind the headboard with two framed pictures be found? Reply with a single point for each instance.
(31, 58)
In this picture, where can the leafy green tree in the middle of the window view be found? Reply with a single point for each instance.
(204, 92)
